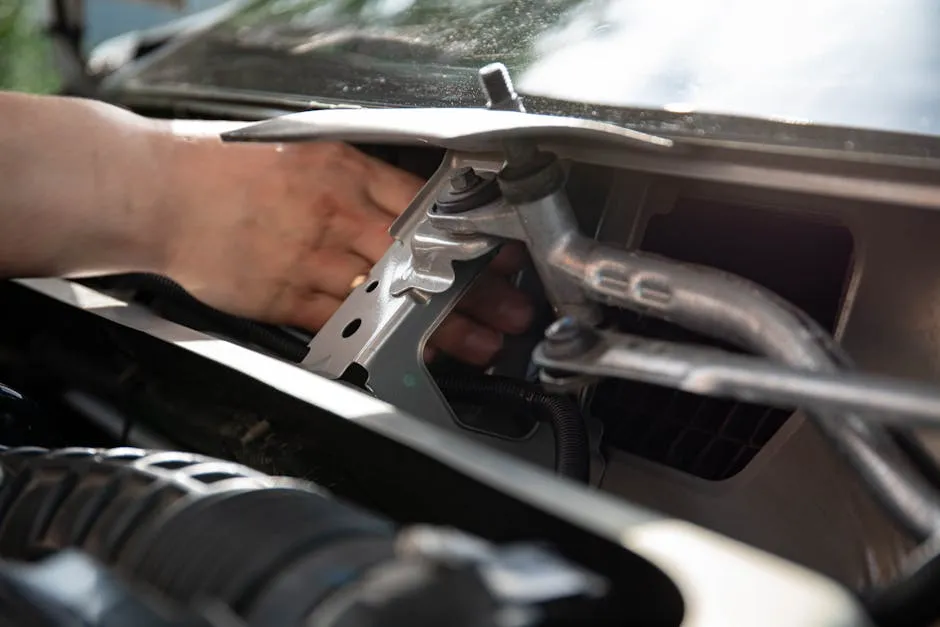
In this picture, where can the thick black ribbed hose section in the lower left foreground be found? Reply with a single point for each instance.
(190, 527)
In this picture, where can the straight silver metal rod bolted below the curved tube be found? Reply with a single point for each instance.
(712, 372)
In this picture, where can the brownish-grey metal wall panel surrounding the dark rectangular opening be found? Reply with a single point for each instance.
(796, 498)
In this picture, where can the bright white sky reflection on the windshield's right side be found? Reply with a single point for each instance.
(825, 60)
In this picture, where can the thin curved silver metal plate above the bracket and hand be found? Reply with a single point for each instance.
(466, 129)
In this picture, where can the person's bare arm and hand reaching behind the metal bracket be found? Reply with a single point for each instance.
(277, 233)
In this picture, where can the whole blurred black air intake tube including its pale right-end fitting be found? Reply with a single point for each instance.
(274, 551)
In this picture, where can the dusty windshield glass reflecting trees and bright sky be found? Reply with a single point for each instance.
(869, 64)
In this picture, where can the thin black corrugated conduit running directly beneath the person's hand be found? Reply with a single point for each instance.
(267, 337)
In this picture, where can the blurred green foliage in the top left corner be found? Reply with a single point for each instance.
(26, 61)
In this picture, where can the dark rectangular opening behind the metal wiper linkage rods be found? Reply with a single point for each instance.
(803, 258)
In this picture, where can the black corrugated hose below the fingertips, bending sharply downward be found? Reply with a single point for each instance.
(572, 453)
